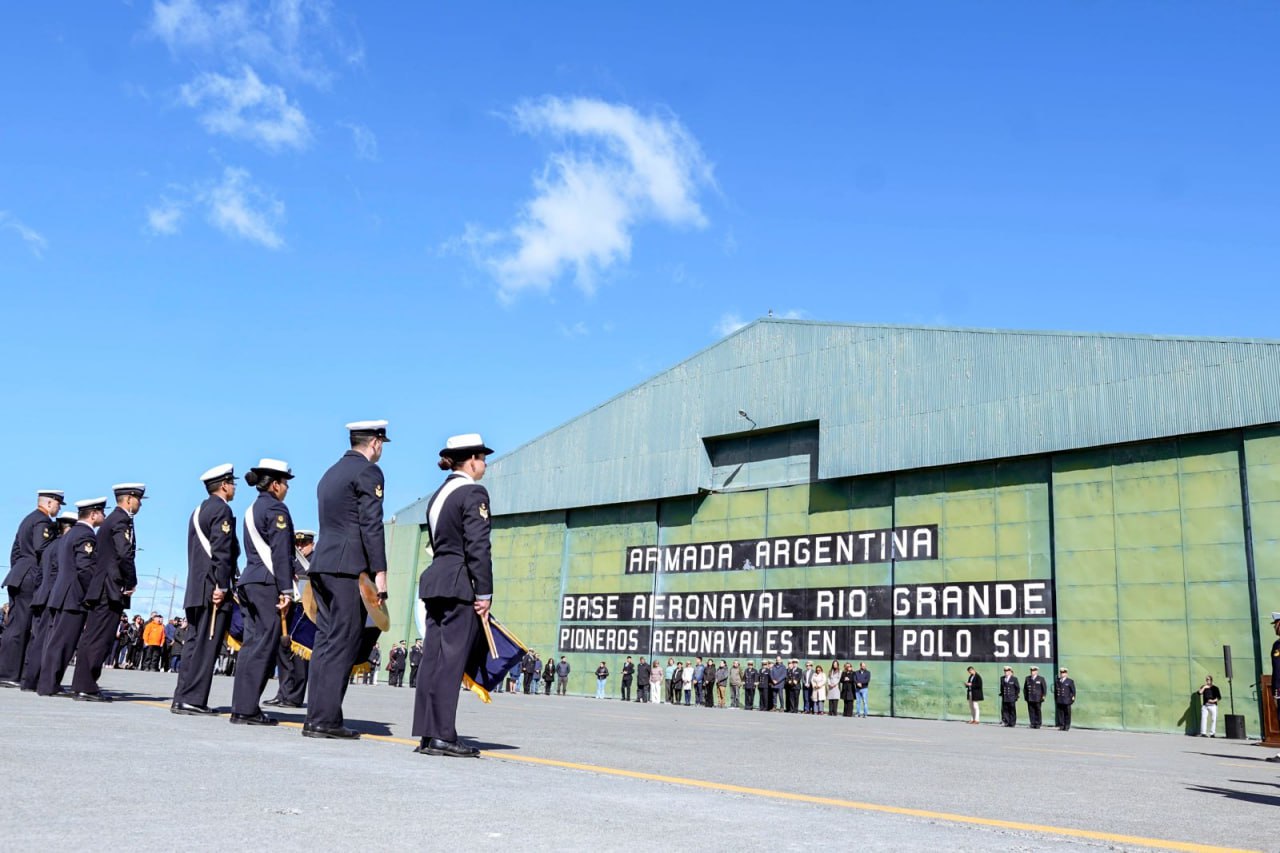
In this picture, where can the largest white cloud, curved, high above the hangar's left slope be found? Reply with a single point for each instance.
(615, 170)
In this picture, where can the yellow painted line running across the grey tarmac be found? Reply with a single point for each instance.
(826, 801)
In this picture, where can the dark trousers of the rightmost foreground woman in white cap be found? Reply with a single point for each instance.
(451, 631)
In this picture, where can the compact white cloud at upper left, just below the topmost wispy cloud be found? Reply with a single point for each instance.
(248, 108)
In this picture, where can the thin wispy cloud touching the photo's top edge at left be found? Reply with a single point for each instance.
(295, 39)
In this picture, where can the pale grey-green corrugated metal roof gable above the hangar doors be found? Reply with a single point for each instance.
(889, 399)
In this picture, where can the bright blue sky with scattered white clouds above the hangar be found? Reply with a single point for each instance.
(228, 229)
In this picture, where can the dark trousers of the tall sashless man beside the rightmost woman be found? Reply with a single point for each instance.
(340, 622)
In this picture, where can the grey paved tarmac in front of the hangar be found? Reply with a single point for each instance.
(584, 774)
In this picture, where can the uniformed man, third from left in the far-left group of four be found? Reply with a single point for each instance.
(77, 564)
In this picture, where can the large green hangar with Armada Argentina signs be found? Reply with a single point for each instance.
(916, 499)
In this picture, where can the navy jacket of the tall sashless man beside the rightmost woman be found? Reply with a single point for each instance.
(350, 499)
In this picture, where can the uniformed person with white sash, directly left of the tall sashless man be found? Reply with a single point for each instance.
(266, 589)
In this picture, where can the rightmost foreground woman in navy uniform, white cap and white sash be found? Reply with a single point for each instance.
(456, 591)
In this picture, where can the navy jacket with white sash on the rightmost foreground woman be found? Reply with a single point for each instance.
(461, 559)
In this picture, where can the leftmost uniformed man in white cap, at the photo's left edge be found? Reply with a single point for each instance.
(35, 532)
